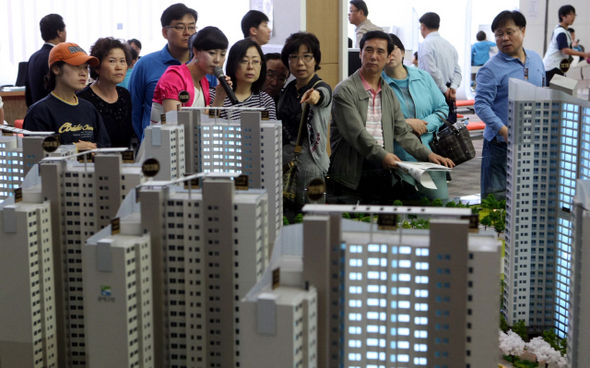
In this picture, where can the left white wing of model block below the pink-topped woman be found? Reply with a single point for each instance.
(165, 143)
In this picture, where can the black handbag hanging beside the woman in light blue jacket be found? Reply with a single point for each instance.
(453, 141)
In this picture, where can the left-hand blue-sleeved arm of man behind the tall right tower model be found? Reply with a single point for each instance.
(487, 89)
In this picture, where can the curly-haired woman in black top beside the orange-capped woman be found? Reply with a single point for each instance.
(112, 102)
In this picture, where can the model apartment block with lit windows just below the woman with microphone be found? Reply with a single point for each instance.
(249, 146)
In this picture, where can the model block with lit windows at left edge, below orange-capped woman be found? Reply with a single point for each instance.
(20, 149)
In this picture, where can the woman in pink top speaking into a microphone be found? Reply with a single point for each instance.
(209, 48)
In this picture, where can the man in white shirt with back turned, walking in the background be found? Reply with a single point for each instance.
(439, 58)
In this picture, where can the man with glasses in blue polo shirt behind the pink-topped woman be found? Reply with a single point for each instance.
(178, 23)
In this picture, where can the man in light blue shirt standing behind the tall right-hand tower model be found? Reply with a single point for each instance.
(491, 99)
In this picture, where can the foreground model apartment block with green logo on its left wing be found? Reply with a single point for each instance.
(209, 246)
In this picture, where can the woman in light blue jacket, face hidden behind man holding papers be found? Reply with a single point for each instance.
(423, 105)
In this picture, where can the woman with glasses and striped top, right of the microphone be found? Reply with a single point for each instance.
(247, 71)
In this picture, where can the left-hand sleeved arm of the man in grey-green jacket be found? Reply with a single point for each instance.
(352, 127)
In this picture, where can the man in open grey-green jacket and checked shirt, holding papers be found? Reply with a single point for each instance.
(366, 118)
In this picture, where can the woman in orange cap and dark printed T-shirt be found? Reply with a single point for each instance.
(76, 121)
